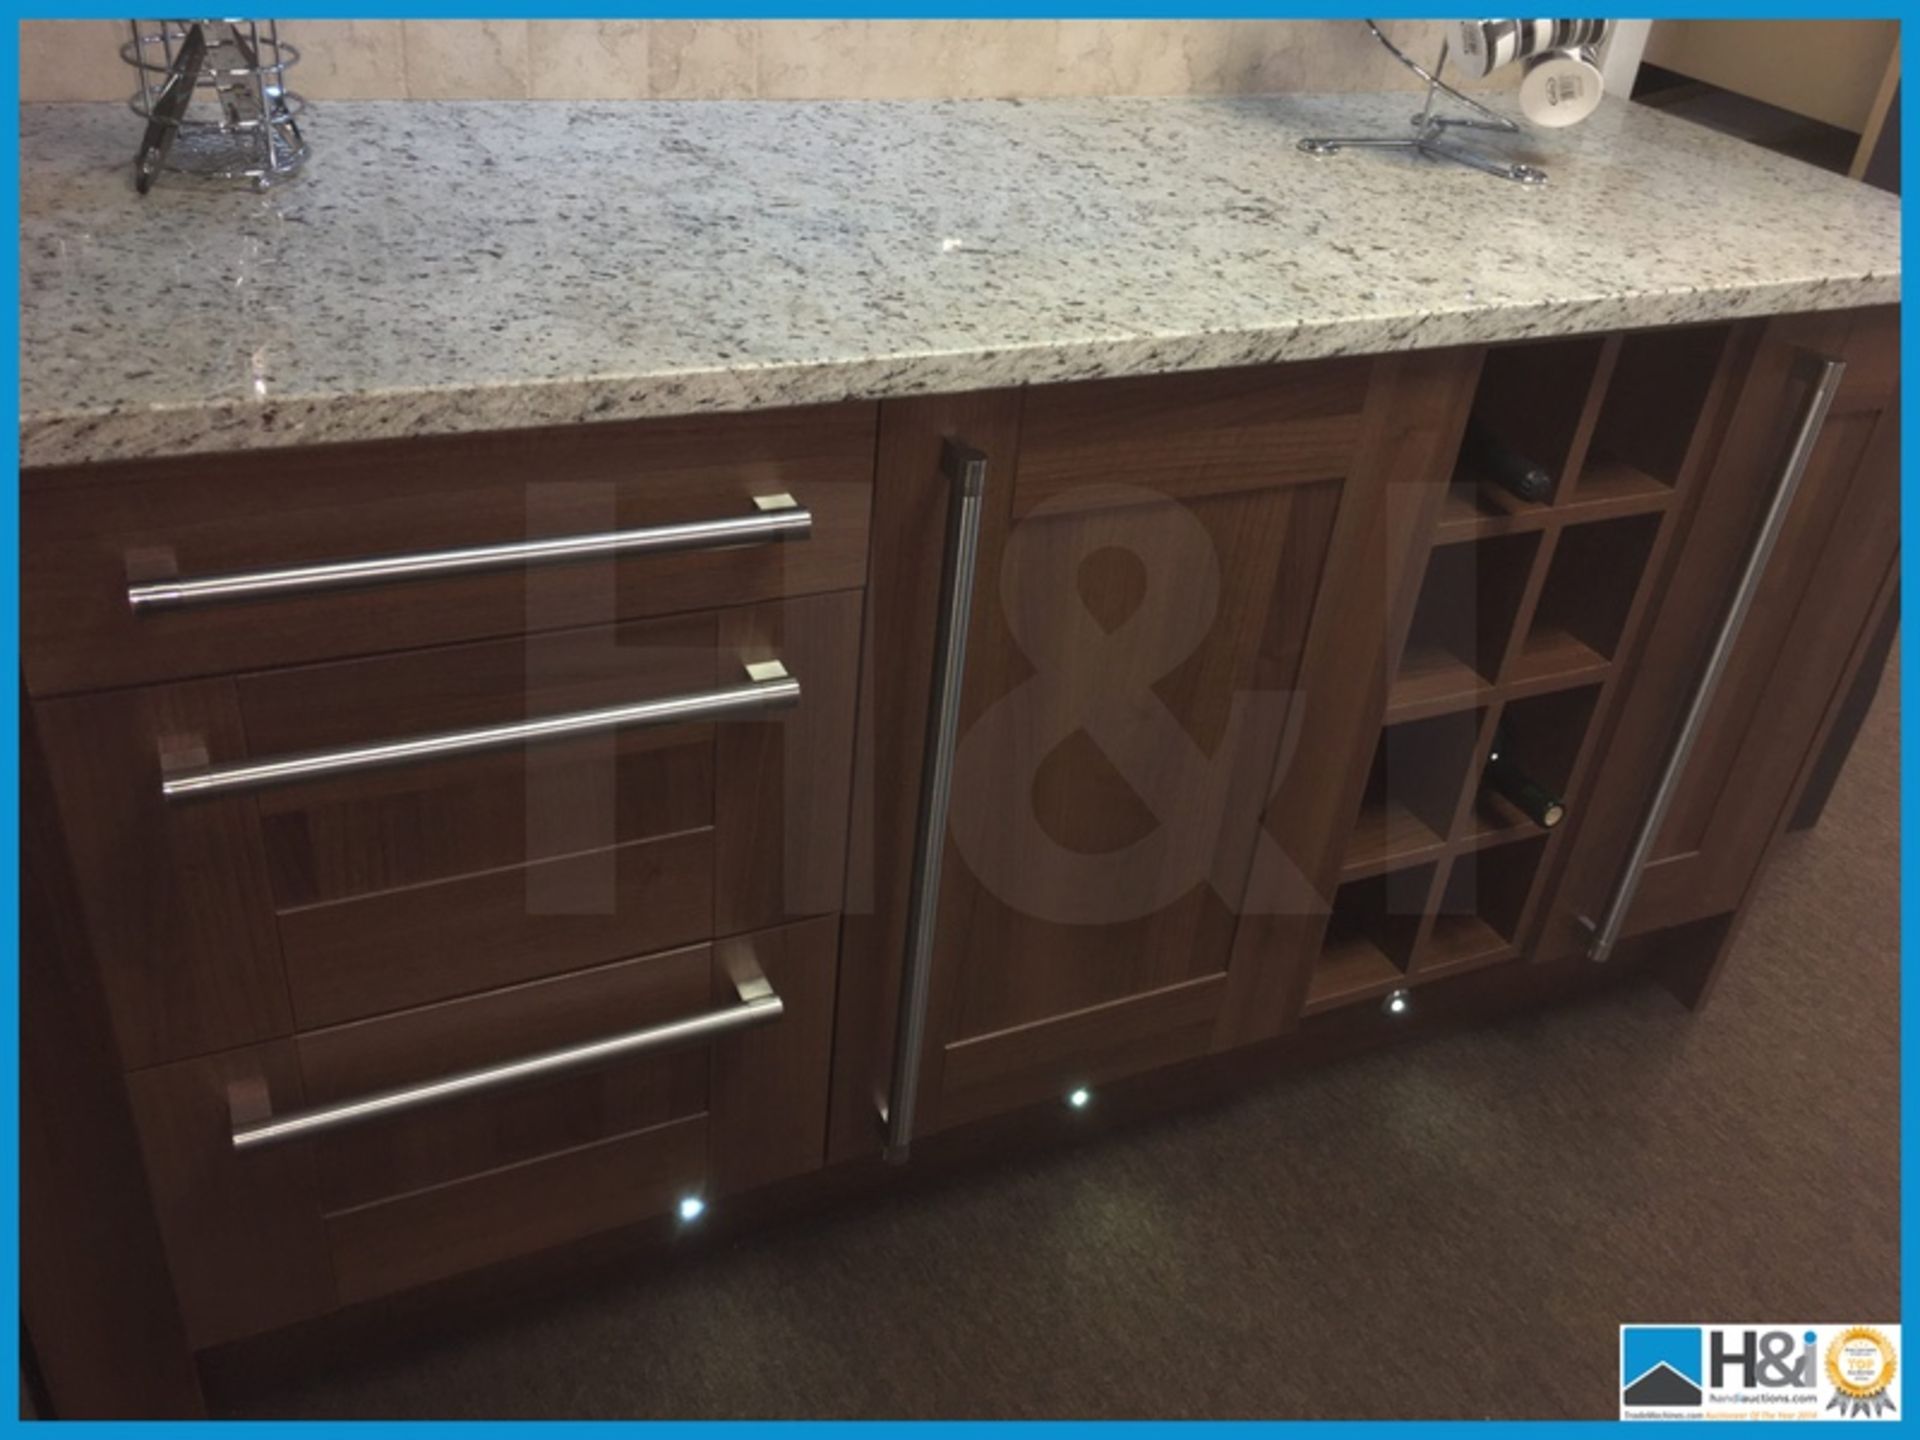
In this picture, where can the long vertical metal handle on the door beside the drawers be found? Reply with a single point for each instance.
(967, 469)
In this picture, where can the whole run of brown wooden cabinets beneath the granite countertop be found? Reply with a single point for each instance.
(437, 913)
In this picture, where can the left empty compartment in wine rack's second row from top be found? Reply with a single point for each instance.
(1462, 621)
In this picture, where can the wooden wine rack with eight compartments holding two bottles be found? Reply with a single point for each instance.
(1522, 623)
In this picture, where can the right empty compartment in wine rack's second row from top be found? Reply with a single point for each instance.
(1589, 594)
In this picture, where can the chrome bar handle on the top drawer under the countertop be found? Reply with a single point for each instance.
(777, 517)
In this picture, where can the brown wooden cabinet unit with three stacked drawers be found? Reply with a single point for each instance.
(475, 901)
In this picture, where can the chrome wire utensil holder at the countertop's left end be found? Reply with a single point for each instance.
(239, 124)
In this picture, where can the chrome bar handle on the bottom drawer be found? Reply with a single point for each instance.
(757, 1005)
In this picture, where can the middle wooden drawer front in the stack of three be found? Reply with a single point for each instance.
(243, 915)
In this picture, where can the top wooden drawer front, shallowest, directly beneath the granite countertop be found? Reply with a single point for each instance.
(437, 533)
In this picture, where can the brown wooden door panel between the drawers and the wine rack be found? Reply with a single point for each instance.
(1149, 581)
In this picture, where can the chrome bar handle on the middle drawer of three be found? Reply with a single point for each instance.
(769, 688)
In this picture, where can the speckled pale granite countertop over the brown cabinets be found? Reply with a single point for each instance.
(460, 266)
